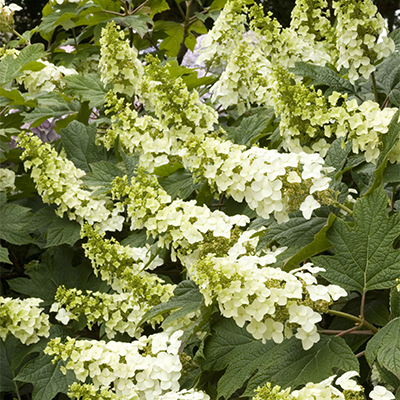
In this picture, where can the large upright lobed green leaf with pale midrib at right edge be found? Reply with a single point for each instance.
(364, 255)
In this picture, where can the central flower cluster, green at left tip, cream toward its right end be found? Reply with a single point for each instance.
(178, 224)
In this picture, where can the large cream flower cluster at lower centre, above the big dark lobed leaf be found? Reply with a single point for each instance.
(274, 302)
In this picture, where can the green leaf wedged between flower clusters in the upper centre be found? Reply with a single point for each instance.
(253, 128)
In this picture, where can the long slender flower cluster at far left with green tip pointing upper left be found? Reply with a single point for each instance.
(58, 182)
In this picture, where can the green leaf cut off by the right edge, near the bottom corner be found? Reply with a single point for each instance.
(385, 347)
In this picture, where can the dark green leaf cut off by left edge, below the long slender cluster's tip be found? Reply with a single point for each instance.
(14, 220)
